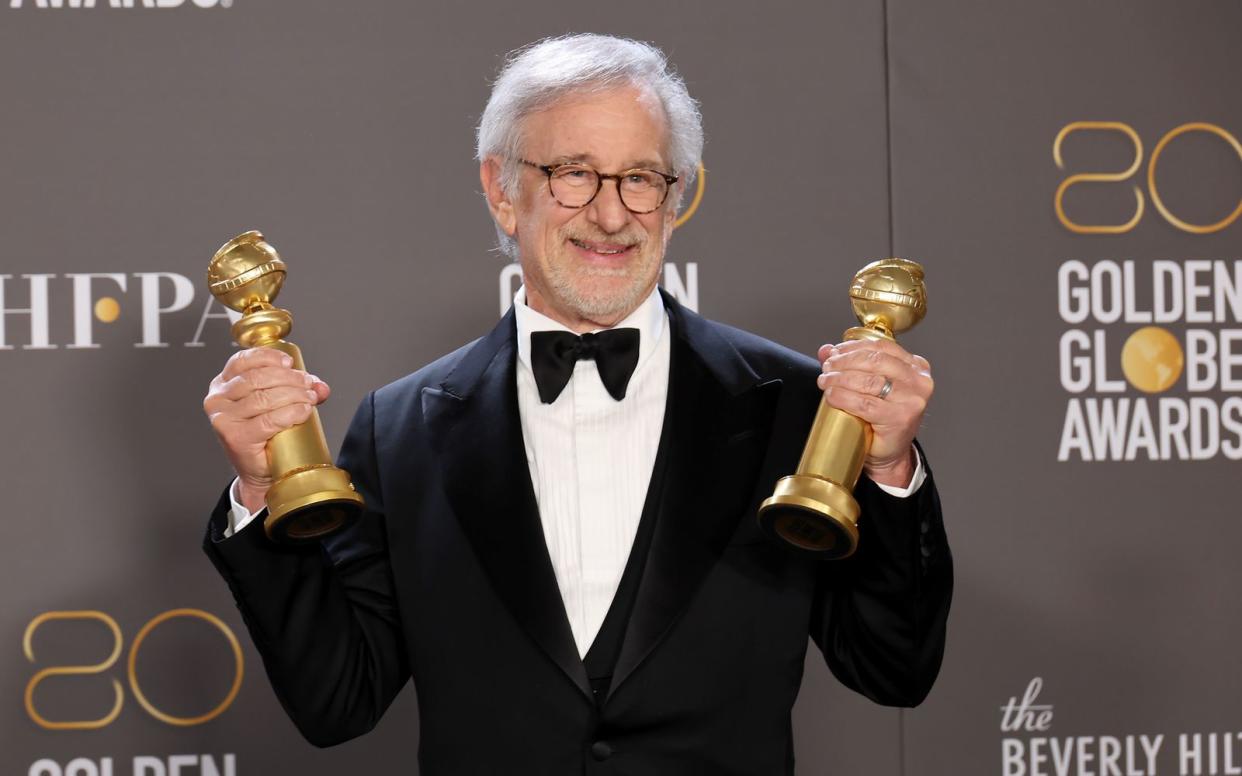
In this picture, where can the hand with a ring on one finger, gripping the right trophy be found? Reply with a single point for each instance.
(887, 387)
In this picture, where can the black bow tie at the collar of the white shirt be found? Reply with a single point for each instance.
(553, 356)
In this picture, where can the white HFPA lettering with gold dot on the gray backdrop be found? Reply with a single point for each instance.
(94, 299)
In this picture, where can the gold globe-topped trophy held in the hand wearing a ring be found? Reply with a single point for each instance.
(815, 511)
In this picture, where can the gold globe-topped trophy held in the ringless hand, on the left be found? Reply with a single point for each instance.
(310, 497)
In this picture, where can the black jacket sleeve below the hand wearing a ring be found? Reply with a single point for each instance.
(880, 616)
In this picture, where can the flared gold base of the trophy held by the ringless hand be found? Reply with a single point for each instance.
(311, 505)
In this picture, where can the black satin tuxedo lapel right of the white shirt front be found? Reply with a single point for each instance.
(717, 424)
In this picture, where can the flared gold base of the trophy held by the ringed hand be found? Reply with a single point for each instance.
(812, 515)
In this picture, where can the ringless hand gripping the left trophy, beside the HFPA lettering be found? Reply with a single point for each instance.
(258, 395)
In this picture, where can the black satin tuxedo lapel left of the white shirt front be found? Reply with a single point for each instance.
(476, 431)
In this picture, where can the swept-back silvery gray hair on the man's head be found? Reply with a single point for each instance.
(538, 75)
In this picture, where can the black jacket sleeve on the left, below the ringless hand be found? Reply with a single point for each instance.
(324, 615)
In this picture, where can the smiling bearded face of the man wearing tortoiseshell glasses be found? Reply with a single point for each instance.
(587, 268)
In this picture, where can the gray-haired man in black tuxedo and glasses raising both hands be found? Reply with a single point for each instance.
(561, 543)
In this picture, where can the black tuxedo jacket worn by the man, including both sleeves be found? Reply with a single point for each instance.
(448, 580)
